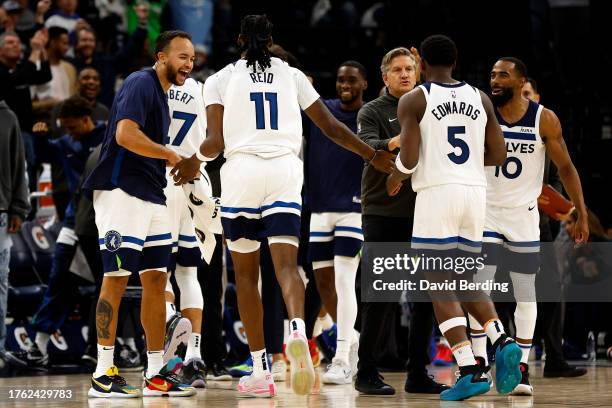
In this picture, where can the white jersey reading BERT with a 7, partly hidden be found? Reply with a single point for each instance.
(188, 117)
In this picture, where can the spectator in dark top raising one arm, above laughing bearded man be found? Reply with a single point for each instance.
(108, 66)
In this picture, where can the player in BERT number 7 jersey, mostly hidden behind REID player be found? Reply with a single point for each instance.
(186, 133)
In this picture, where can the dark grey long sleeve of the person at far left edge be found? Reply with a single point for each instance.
(20, 204)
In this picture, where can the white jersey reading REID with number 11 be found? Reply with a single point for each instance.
(261, 108)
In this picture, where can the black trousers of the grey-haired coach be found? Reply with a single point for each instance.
(373, 315)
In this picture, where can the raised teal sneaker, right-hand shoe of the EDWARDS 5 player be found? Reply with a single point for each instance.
(507, 364)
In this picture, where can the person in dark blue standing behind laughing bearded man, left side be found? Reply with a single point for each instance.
(72, 150)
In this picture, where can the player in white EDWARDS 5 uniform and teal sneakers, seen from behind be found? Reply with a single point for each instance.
(449, 133)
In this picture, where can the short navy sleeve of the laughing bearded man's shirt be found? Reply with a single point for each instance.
(134, 100)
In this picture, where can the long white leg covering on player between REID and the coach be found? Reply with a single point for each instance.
(345, 269)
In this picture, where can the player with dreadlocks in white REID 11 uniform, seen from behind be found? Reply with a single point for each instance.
(253, 112)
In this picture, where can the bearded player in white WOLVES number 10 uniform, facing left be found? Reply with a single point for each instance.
(512, 218)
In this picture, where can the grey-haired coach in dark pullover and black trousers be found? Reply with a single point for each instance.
(389, 219)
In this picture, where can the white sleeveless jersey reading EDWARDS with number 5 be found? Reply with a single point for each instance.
(452, 137)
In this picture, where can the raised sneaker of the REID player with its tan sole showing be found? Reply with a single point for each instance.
(302, 370)
